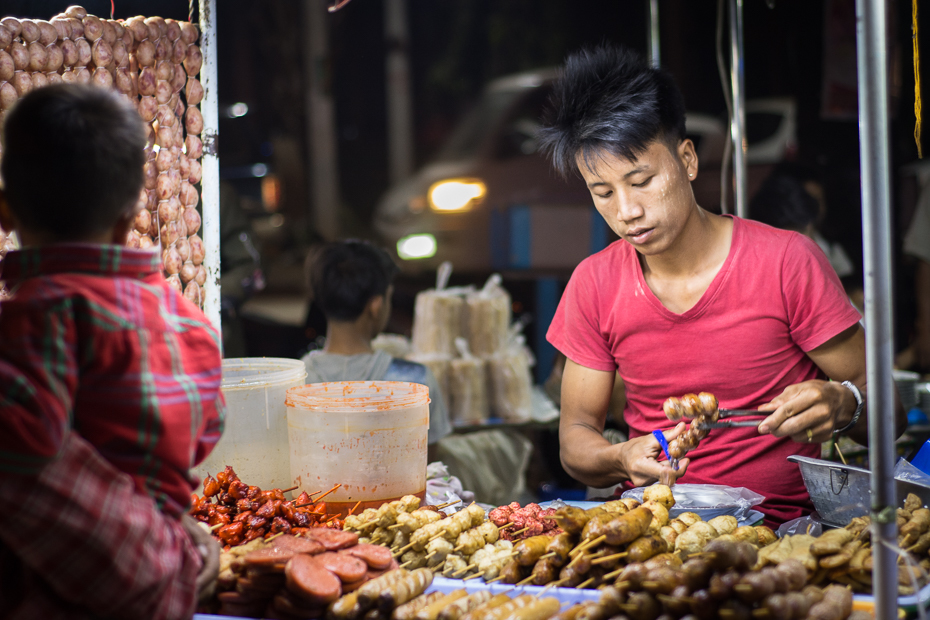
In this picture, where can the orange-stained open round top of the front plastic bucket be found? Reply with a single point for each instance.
(357, 396)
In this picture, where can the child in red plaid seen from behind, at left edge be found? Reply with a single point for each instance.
(99, 357)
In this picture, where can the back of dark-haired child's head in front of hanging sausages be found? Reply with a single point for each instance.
(72, 160)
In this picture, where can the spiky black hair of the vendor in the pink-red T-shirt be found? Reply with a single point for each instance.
(609, 100)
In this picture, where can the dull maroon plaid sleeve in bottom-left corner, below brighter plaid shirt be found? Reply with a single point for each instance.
(77, 541)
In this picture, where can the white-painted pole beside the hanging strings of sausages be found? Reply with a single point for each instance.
(210, 182)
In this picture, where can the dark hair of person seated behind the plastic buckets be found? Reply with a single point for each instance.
(346, 275)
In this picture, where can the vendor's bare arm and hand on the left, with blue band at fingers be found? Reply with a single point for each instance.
(586, 455)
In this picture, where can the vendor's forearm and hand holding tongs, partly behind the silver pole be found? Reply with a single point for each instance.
(822, 406)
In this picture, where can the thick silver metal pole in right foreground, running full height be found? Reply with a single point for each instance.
(876, 225)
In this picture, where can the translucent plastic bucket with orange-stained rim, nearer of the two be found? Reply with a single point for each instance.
(368, 436)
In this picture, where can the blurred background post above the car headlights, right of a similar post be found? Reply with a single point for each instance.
(400, 112)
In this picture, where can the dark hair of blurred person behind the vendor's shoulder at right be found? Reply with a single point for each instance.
(783, 202)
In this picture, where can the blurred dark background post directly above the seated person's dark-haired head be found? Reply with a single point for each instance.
(321, 122)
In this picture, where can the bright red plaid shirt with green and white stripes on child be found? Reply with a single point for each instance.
(93, 339)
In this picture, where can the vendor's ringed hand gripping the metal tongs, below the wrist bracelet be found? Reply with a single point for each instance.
(809, 411)
